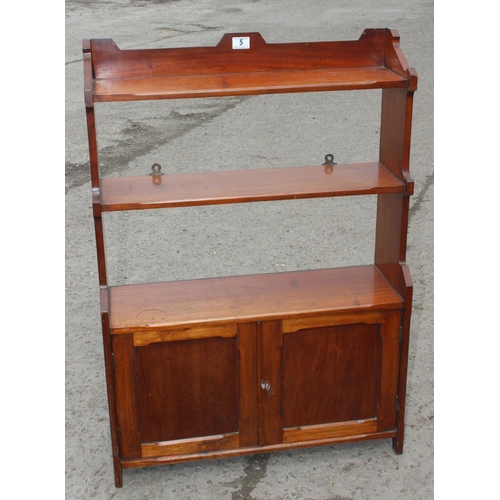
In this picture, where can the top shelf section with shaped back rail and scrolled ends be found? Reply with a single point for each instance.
(373, 61)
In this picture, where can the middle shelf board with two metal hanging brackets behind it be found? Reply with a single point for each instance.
(238, 186)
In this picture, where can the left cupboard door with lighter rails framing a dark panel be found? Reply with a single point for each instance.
(186, 392)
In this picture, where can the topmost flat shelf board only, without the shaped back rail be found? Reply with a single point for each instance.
(249, 83)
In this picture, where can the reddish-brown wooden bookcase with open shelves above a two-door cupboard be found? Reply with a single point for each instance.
(227, 366)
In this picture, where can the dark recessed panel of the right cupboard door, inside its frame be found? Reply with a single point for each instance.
(331, 374)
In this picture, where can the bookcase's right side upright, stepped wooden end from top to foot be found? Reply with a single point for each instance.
(393, 209)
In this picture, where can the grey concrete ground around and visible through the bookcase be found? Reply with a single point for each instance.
(235, 133)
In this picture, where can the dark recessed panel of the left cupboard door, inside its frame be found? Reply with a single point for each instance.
(187, 389)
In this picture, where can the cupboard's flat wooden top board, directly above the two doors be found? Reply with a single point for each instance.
(135, 308)
